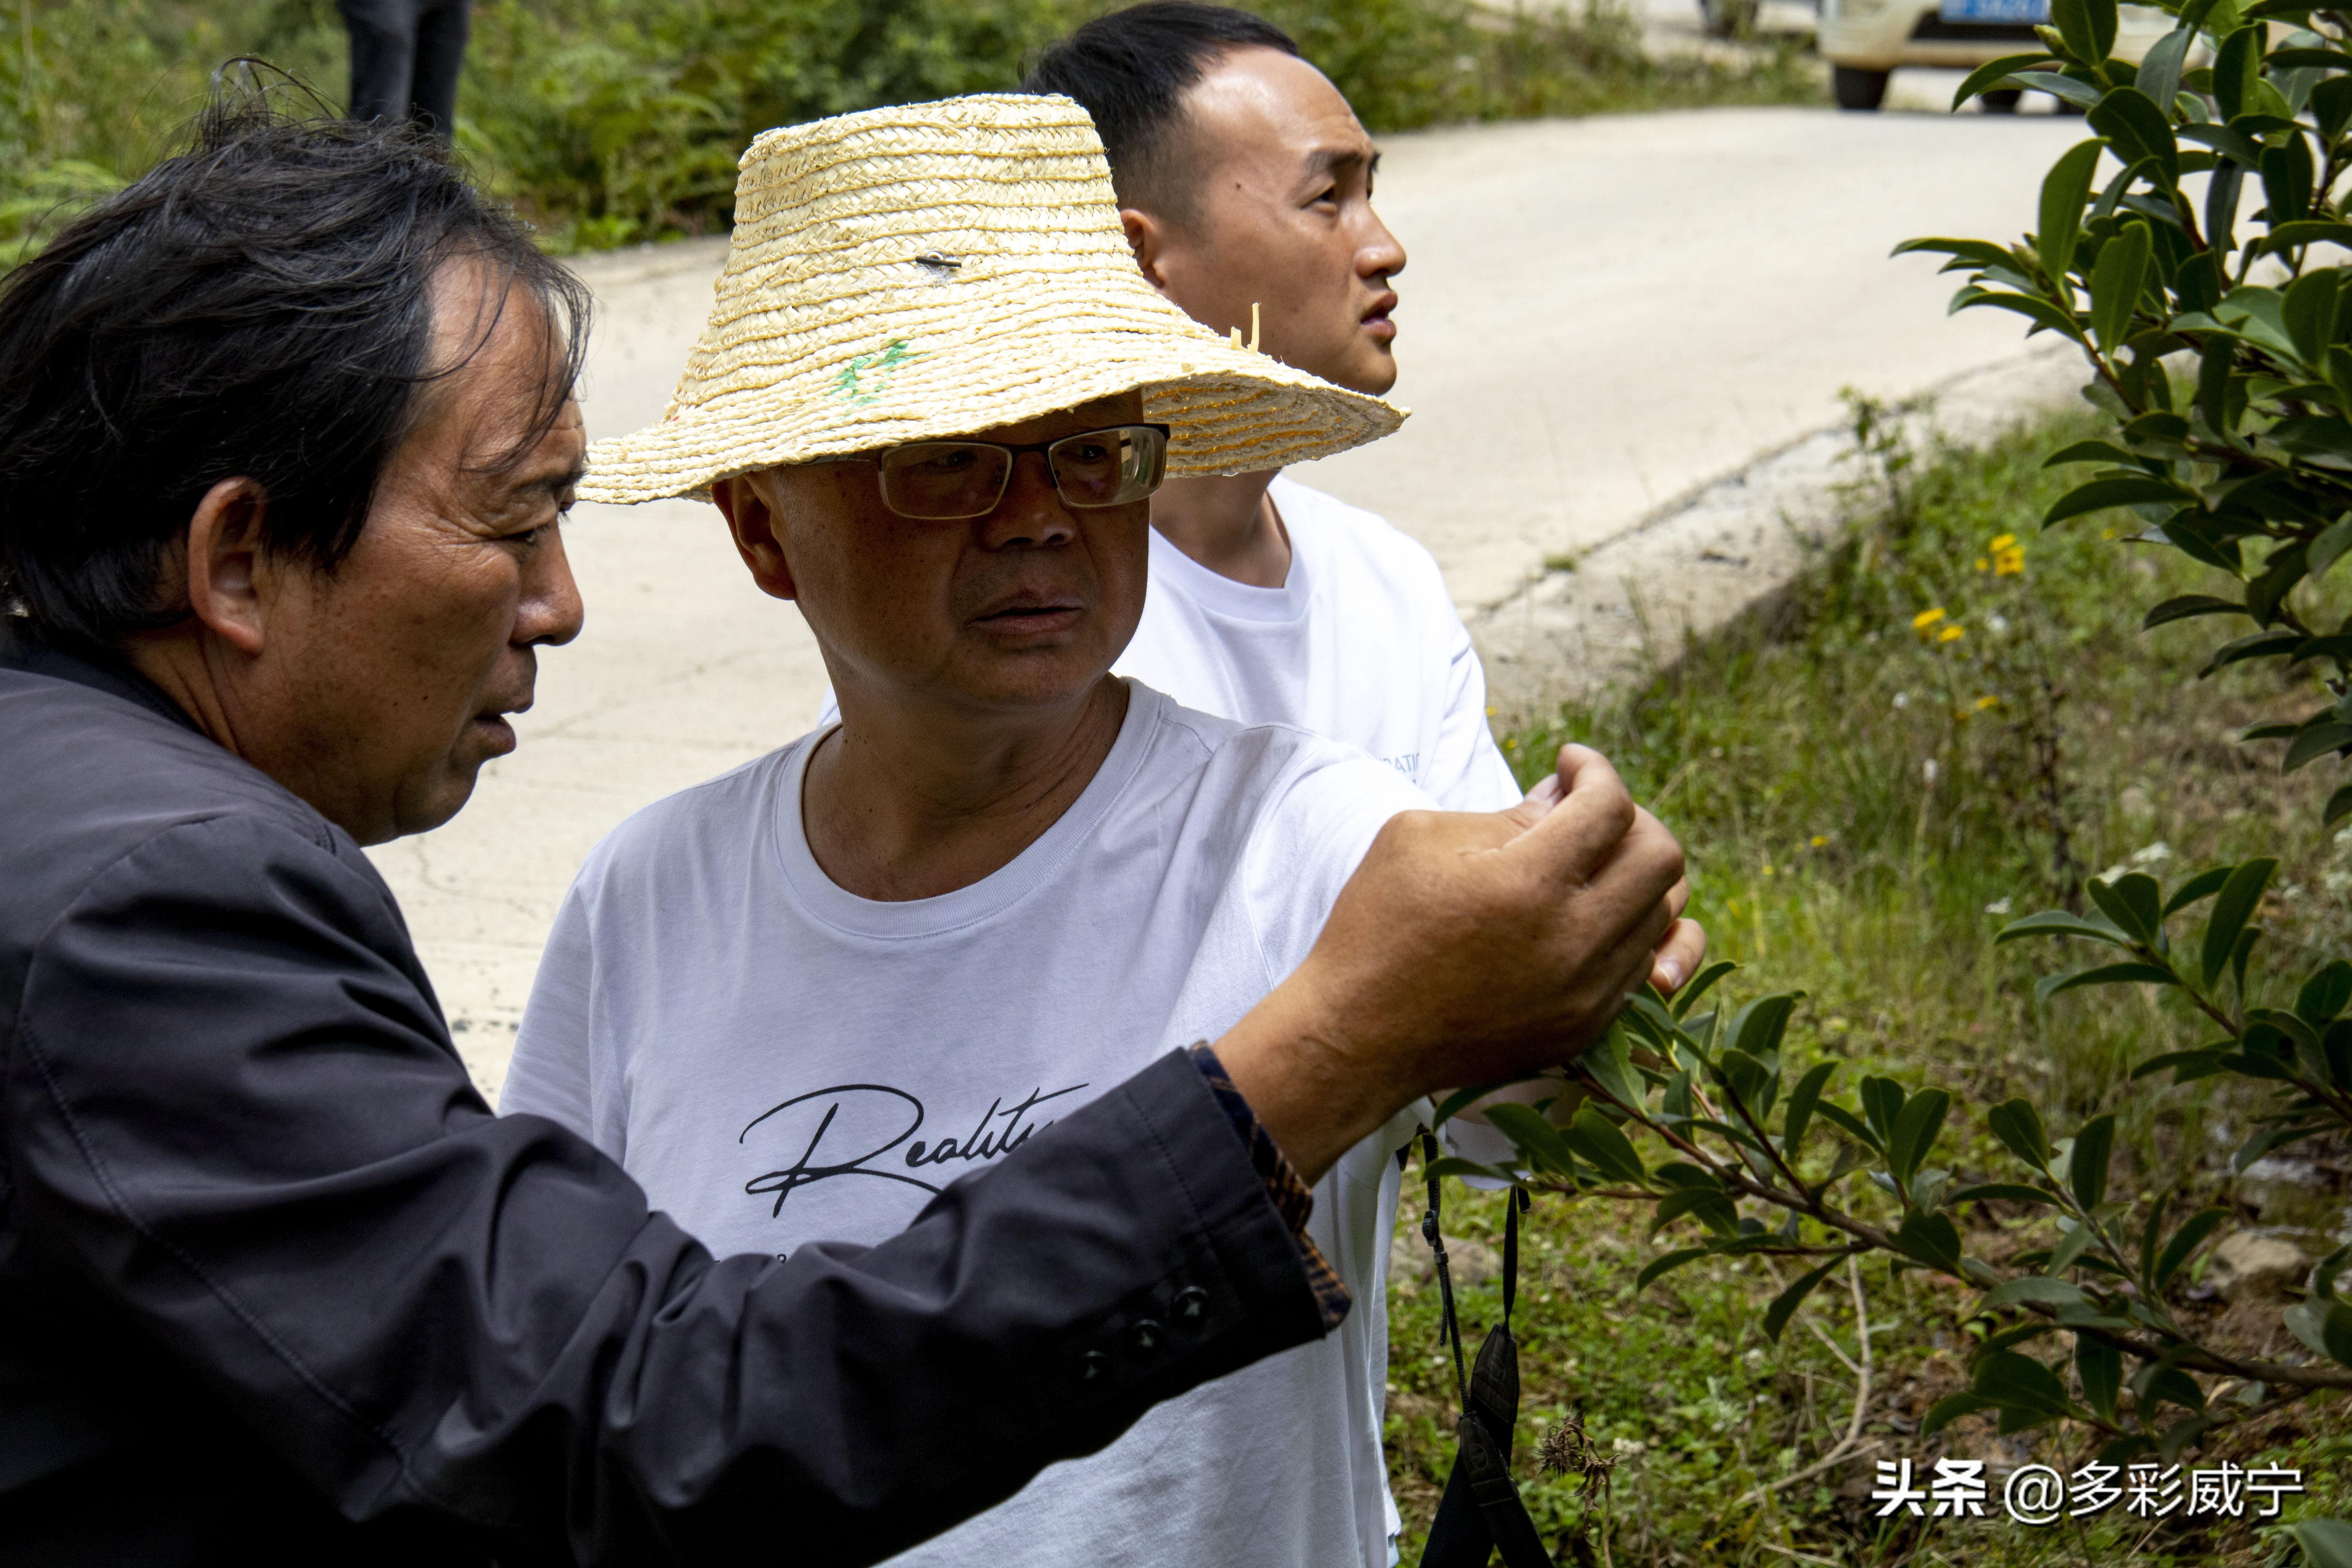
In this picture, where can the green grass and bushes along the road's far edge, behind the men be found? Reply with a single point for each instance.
(620, 121)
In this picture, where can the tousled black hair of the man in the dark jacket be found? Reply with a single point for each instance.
(255, 307)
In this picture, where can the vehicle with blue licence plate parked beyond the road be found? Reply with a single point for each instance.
(1869, 39)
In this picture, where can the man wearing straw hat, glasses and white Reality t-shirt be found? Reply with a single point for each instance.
(933, 401)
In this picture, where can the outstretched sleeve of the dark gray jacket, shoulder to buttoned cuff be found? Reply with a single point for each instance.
(232, 1104)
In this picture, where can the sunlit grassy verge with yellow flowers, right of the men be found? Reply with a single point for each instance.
(1864, 798)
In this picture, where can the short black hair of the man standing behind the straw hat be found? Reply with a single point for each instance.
(1130, 72)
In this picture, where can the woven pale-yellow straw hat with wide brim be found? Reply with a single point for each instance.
(940, 269)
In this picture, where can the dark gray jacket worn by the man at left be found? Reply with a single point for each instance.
(276, 1287)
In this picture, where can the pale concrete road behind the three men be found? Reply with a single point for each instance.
(1598, 316)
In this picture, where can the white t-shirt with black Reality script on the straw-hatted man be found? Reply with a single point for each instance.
(780, 1061)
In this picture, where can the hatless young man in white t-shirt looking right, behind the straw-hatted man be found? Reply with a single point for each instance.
(1245, 189)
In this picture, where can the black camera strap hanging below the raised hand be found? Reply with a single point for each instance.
(1483, 1510)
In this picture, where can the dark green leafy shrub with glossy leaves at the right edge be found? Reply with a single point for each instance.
(2221, 356)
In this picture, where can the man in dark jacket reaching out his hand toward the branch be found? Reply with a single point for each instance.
(286, 436)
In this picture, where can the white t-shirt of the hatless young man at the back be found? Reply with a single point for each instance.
(1361, 645)
